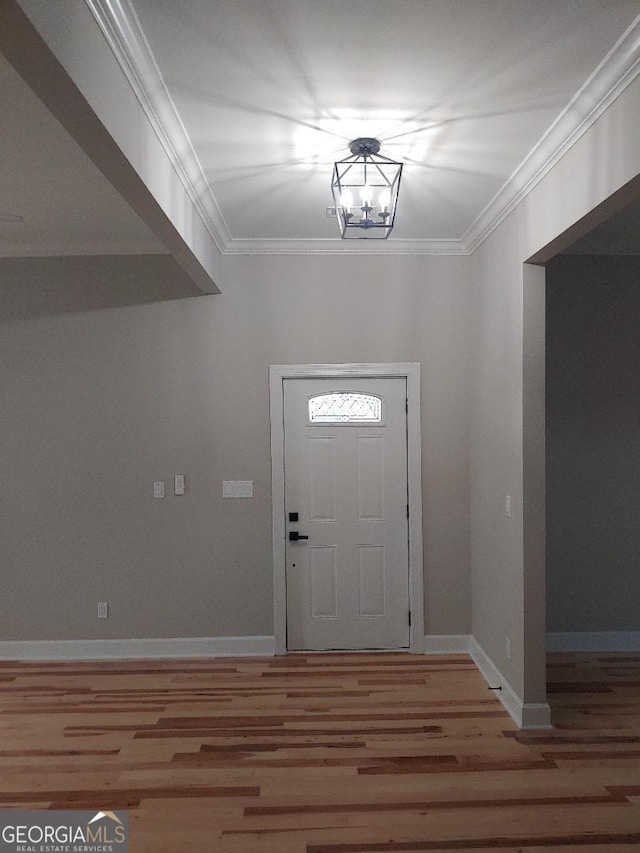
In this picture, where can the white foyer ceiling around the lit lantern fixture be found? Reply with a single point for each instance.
(272, 91)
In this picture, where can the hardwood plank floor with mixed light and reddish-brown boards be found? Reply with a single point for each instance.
(335, 753)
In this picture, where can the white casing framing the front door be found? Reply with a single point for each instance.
(411, 372)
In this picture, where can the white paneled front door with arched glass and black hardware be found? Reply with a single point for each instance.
(345, 454)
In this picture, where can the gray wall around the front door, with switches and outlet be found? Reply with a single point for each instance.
(98, 402)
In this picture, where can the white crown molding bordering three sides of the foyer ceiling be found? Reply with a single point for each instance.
(122, 30)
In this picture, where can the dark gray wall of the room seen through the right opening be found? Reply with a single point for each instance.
(593, 449)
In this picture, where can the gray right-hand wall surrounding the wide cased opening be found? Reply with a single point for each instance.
(507, 578)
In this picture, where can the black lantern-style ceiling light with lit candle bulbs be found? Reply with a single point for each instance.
(365, 191)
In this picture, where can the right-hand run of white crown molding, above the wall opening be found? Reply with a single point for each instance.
(616, 71)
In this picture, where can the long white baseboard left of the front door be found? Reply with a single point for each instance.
(162, 647)
